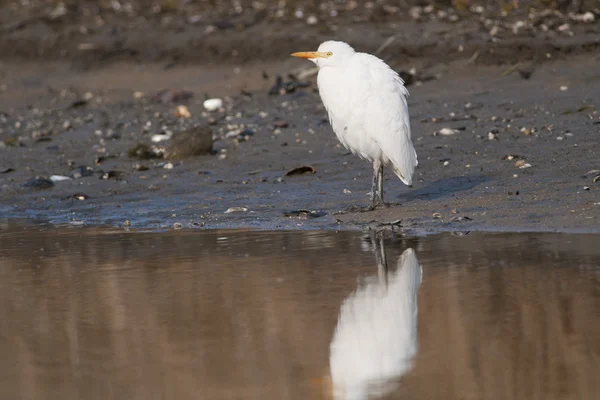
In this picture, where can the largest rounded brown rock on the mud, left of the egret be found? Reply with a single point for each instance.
(196, 141)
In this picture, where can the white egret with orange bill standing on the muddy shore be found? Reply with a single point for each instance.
(366, 102)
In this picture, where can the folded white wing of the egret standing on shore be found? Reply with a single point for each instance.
(388, 121)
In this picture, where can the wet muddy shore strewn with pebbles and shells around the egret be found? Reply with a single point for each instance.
(522, 98)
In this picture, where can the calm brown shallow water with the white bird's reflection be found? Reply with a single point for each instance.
(107, 314)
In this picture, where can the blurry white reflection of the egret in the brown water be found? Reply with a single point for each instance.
(376, 335)
